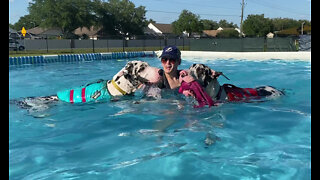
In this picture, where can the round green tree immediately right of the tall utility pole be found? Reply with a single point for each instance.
(257, 25)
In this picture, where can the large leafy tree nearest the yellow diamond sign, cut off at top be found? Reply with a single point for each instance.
(64, 14)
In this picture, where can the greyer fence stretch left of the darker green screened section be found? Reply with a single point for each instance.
(101, 45)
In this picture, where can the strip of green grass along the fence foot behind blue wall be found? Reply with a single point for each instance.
(83, 51)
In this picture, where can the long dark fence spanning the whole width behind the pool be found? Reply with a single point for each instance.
(153, 44)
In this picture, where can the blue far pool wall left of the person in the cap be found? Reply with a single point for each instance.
(77, 57)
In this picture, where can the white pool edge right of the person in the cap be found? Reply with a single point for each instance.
(302, 55)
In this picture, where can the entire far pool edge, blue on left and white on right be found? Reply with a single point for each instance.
(212, 55)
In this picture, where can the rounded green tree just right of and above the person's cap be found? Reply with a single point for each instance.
(188, 22)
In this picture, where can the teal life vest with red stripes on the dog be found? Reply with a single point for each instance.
(87, 93)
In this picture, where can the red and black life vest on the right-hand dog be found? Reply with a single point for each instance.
(235, 93)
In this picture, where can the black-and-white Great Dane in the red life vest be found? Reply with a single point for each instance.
(207, 78)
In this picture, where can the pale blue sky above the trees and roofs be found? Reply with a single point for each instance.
(167, 11)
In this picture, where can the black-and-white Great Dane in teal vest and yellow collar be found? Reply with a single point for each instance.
(125, 82)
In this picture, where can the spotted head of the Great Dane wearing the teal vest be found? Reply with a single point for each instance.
(134, 74)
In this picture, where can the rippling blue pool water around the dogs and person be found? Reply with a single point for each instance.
(162, 139)
